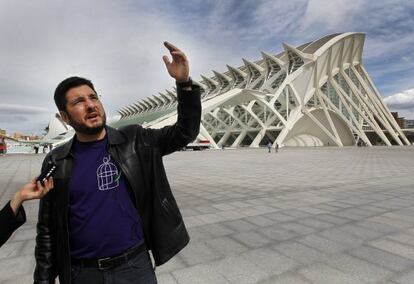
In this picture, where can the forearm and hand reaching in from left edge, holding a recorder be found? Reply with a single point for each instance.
(13, 215)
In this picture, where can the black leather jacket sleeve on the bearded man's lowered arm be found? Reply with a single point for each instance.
(45, 270)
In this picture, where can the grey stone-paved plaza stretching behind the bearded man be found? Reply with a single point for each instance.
(303, 215)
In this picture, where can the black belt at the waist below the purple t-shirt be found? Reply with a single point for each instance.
(110, 262)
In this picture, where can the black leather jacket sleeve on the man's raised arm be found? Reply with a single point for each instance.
(173, 137)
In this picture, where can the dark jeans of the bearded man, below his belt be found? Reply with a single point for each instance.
(137, 270)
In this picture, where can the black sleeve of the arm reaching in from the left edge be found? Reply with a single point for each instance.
(10, 222)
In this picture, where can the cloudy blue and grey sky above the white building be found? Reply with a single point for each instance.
(118, 45)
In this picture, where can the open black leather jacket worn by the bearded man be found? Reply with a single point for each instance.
(138, 152)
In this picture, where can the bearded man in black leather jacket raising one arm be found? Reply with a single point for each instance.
(112, 201)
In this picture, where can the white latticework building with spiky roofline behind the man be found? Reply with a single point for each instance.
(318, 93)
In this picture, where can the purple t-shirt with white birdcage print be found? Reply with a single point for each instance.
(103, 221)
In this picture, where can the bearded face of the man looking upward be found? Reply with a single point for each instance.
(84, 111)
